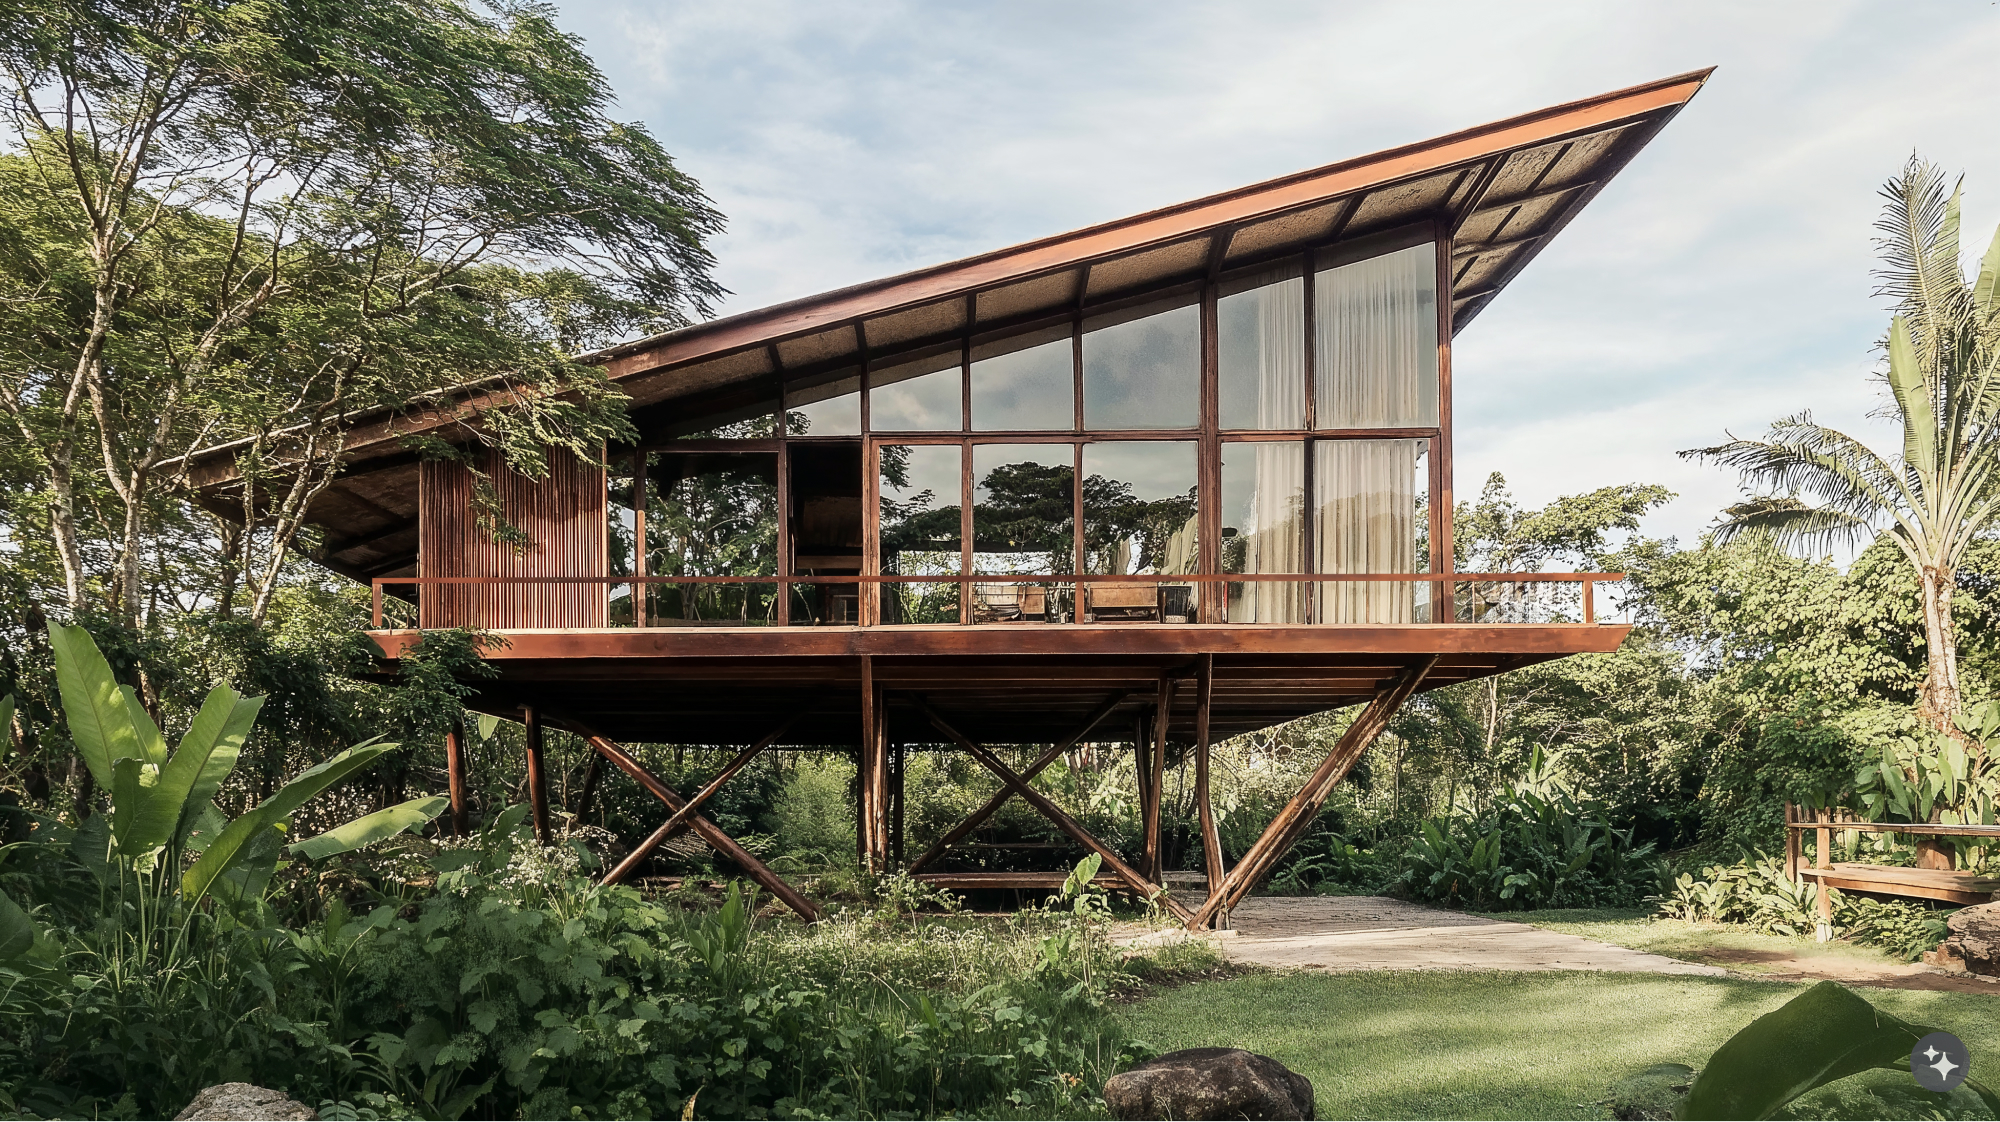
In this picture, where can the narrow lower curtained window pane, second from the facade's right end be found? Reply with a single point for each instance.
(1265, 529)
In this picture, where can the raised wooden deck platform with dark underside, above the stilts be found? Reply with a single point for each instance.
(1001, 683)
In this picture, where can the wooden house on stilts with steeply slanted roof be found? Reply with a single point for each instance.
(1169, 479)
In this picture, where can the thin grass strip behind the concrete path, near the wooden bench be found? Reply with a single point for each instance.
(1723, 945)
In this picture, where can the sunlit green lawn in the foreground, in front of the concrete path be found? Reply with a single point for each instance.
(1475, 1045)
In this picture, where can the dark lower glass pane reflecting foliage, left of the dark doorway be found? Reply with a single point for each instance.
(713, 515)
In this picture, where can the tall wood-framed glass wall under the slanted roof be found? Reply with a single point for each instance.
(1203, 451)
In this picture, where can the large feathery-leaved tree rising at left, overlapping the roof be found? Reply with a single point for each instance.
(241, 223)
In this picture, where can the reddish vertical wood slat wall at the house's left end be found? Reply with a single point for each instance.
(565, 519)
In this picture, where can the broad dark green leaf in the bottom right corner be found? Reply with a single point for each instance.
(1825, 1035)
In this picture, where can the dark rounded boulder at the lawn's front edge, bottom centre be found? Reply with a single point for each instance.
(1211, 1083)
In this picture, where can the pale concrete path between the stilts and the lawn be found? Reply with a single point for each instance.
(1375, 933)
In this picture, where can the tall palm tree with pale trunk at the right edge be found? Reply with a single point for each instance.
(1817, 487)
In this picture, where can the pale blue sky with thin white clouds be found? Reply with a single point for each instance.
(1721, 281)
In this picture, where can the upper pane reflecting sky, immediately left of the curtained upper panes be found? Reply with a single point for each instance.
(1145, 373)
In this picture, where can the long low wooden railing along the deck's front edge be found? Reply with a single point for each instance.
(1523, 599)
